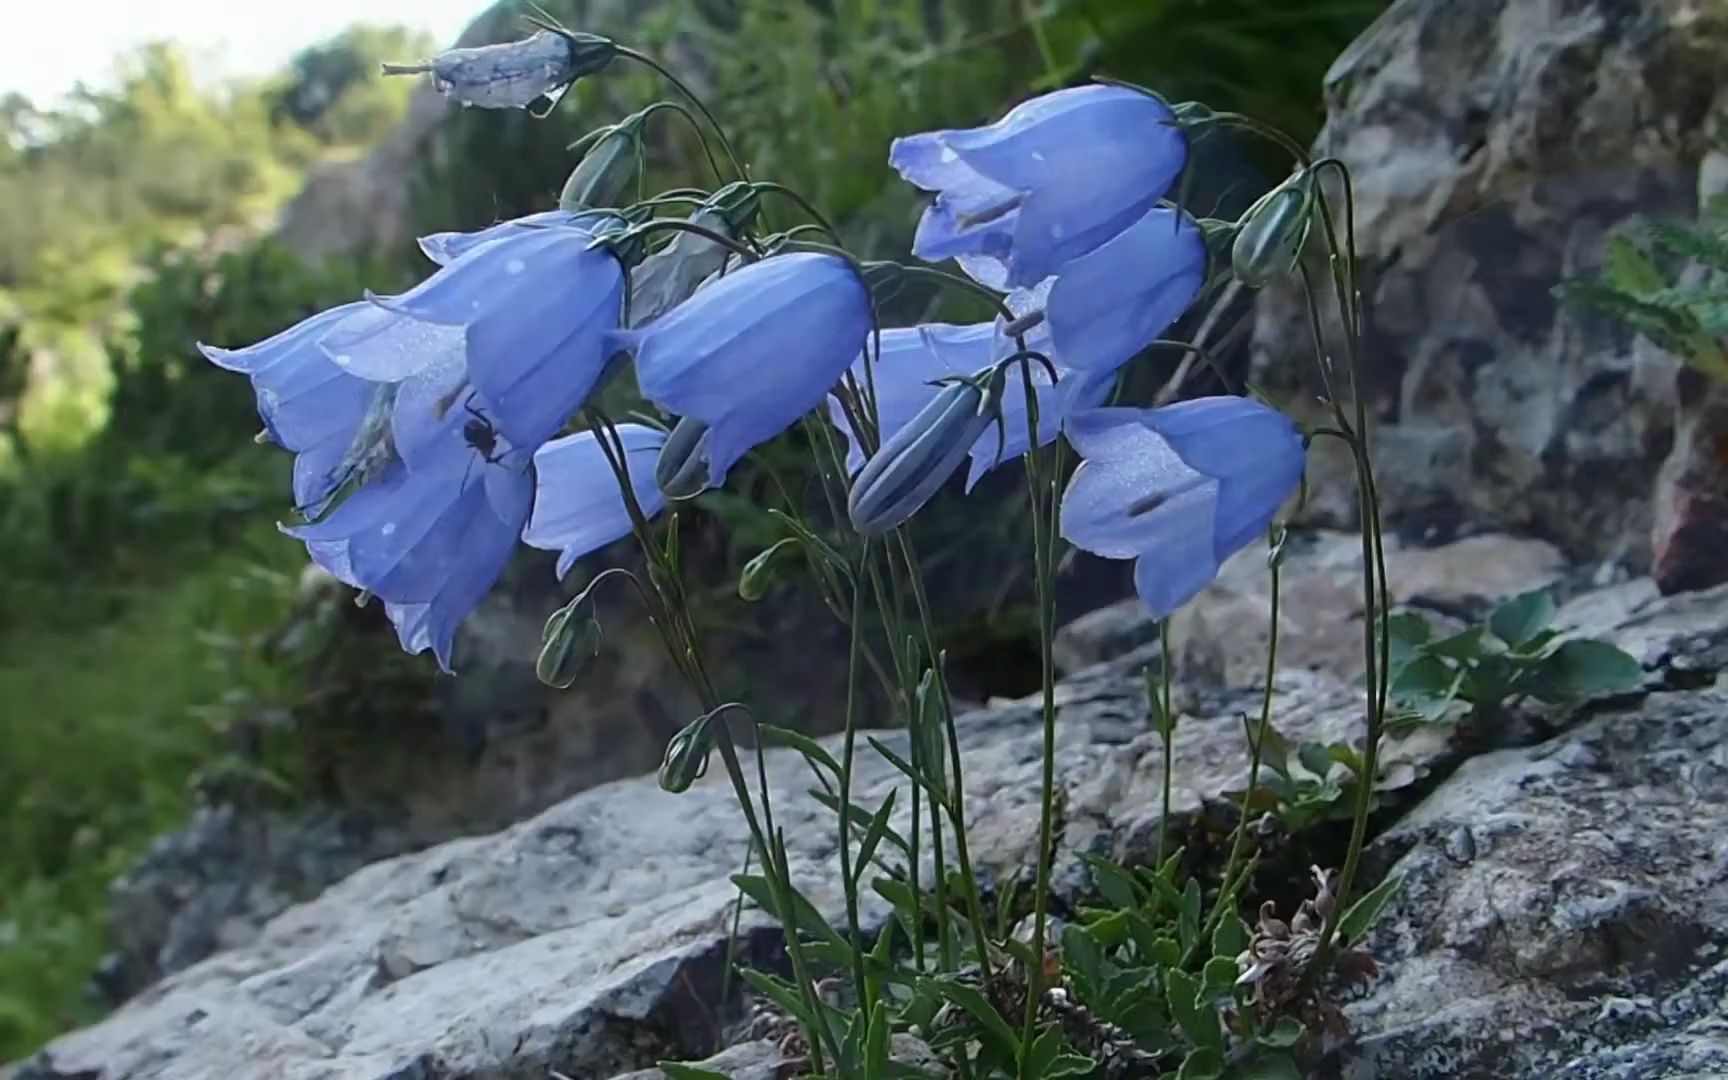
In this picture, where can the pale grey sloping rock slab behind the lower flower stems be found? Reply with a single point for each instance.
(592, 939)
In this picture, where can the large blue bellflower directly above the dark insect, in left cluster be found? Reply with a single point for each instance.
(521, 317)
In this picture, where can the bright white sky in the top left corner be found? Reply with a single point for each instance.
(49, 48)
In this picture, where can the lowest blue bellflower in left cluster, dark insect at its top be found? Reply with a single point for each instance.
(431, 540)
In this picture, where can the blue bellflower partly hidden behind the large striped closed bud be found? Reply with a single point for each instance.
(913, 359)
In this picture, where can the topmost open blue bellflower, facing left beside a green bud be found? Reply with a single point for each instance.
(1050, 182)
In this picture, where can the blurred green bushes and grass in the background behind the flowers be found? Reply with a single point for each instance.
(143, 562)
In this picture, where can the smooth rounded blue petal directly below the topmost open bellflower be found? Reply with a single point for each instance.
(1119, 300)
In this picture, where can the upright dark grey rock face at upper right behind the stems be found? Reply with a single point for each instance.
(1496, 144)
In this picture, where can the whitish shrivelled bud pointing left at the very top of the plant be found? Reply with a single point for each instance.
(514, 75)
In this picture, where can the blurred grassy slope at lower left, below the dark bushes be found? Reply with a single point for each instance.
(103, 732)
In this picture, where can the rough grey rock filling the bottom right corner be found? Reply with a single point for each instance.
(1565, 906)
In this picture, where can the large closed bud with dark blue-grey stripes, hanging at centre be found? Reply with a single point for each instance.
(913, 466)
